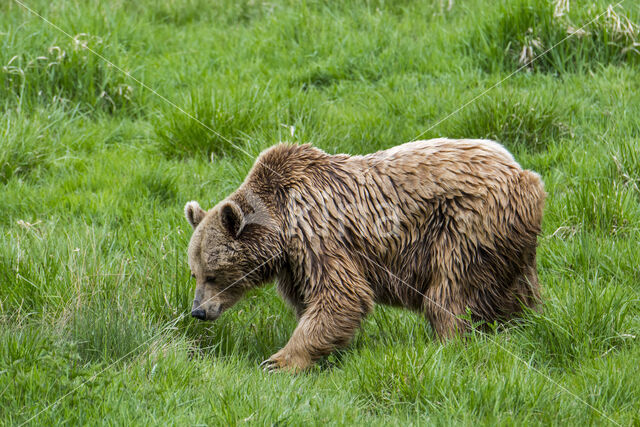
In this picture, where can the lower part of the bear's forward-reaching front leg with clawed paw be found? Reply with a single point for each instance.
(328, 323)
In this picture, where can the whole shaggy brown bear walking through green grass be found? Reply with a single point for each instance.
(444, 227)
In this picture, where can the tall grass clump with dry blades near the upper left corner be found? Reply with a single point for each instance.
(65, 74)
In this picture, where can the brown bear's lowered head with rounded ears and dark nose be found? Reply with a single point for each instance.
(230, 252)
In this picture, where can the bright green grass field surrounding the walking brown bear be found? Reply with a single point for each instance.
(95, 291)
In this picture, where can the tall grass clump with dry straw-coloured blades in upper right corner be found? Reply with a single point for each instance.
(576, 38)
